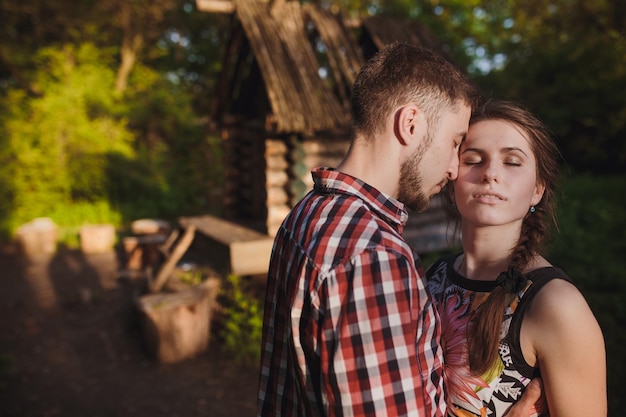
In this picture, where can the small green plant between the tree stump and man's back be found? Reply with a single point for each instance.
(243, 323)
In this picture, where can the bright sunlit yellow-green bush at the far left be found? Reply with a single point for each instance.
(56, 143)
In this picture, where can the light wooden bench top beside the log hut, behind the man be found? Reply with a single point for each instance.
(232, 247)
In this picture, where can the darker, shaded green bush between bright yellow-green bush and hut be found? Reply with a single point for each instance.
(176, 164)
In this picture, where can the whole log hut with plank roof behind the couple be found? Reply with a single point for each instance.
(282, 104)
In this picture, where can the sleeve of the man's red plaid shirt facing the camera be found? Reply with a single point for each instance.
(371, 308)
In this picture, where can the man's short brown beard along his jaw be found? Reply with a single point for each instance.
(410, 190)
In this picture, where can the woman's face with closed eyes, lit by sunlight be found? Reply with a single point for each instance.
(497, 181)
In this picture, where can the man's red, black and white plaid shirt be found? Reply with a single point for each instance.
(349, 329)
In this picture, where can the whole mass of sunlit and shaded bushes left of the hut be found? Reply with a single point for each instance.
(78, 152)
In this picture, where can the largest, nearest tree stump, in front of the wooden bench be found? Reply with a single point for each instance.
(177, 326)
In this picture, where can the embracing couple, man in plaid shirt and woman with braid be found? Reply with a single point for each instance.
(354, 327)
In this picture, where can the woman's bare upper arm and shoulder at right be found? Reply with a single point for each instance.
(568, 345)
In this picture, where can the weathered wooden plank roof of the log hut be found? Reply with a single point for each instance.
(281, 38)
